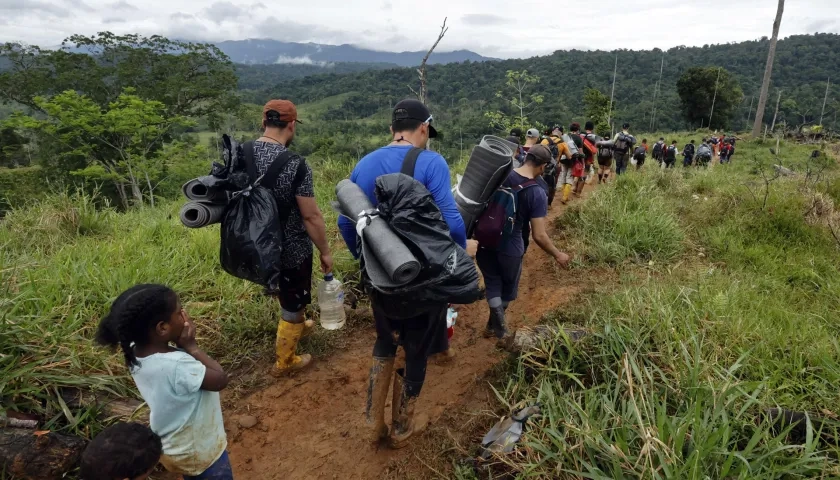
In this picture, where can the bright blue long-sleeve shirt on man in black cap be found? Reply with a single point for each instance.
(431, 170)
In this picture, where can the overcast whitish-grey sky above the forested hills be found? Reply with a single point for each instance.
(490, 27)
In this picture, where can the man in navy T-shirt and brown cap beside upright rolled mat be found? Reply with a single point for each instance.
(502, 267)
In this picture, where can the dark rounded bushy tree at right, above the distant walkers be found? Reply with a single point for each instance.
(699, 87)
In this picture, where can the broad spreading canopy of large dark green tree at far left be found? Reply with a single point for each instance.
(186, 78)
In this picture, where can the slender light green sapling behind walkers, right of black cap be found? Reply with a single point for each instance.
(519, 96)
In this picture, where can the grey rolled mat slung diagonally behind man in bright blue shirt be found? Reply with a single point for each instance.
(388, 262)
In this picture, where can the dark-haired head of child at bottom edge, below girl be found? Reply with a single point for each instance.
(124, 451)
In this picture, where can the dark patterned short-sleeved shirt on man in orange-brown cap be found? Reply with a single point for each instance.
(297, 247)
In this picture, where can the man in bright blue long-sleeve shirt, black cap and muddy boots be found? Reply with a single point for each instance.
(421, 330)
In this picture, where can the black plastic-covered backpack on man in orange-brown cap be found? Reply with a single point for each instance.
(252, 227)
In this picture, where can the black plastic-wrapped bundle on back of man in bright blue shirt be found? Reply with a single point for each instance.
(448, 274)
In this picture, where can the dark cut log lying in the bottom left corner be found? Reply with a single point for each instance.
(28, 455)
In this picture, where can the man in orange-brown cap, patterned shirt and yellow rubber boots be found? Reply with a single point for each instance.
(304, 225)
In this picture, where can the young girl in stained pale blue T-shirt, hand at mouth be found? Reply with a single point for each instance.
(180, 385)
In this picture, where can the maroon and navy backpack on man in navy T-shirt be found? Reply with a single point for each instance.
(494, 228)
